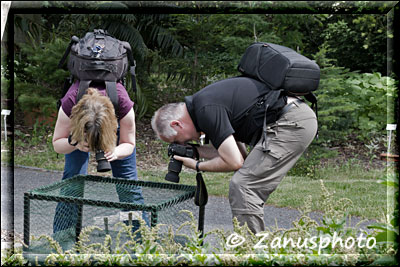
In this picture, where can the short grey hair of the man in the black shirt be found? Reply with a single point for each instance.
(162, 118)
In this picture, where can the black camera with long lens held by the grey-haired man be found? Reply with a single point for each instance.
(175, 166)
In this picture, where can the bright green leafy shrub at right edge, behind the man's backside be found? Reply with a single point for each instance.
(351, 101)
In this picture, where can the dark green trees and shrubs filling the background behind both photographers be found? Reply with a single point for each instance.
(178, 54)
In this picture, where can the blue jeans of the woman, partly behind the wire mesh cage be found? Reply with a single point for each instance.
(77, 163)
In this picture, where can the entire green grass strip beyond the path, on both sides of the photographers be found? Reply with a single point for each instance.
(347, 180)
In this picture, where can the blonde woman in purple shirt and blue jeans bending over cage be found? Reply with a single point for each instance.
(92, 125)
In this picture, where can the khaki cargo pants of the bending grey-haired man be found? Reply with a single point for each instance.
(262, 172)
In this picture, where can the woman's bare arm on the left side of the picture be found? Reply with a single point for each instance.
(61, 133)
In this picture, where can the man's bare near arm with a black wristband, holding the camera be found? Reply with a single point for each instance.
(229, 158)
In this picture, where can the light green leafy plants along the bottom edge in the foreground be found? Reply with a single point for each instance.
(151, 246)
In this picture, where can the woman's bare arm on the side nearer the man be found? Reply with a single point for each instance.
(127, 138)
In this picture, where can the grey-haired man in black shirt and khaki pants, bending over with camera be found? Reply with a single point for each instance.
(234, 112)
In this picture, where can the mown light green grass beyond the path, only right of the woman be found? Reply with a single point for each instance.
(347, 181)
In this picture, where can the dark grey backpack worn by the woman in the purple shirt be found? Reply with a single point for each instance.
(98, 57)
